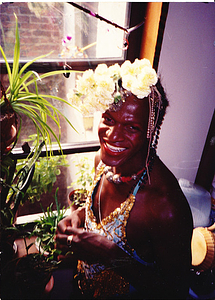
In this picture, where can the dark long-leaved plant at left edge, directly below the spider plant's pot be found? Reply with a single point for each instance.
(13, 189)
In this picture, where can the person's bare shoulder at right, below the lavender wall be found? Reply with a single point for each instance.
(163, 198)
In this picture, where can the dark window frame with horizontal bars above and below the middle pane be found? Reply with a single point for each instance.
(46, 65)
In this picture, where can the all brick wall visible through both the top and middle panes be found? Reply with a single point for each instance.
(40, 31)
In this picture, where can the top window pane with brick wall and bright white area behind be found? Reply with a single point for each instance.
(64, 29)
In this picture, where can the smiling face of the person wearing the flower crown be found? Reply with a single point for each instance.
(122, 135)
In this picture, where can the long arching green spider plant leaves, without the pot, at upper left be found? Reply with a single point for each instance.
(19, 98)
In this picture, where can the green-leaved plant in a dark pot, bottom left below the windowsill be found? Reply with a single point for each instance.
(33, 272)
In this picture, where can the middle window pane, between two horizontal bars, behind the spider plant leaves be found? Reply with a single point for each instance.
(85, 128)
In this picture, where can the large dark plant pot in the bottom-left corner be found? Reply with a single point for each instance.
(28, 277)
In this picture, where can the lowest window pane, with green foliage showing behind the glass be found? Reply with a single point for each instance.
(46, 172)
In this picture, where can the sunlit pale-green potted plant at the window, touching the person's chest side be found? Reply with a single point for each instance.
(83, 182)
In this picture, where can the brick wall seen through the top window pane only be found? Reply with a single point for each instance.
(41, 29)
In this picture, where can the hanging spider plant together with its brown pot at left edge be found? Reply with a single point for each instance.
(18, 99)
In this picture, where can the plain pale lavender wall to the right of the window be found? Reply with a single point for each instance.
(186, 66)
